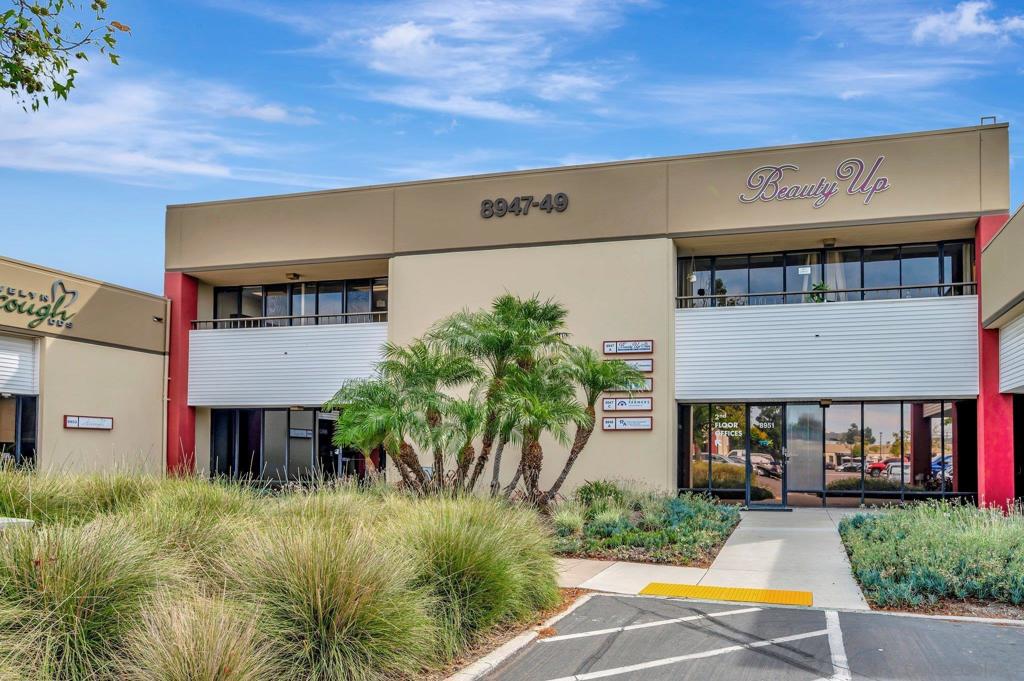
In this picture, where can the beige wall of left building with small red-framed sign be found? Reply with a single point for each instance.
(86, 379)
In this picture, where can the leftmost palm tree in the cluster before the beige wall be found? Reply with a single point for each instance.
(374, 412)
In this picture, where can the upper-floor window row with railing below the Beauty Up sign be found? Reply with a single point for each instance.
(912, 271)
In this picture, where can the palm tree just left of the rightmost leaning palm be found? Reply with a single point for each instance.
(544, 402)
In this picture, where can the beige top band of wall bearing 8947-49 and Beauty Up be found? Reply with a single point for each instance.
(934, 176)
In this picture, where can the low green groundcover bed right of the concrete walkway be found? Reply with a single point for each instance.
(937, 550)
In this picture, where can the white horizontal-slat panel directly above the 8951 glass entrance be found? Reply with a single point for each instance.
(863, 350)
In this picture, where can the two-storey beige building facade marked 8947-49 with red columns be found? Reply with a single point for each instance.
(815, 321)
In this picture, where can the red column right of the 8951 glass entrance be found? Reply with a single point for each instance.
(996, 411)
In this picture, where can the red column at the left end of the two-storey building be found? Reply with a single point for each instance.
(183, 291)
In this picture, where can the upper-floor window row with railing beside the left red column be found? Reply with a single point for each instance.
(301, 305)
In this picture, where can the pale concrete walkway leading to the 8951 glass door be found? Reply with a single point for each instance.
(799, 550)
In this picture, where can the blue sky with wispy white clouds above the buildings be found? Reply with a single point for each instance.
(226, 99)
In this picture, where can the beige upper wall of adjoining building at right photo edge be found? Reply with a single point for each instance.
(1002, 275)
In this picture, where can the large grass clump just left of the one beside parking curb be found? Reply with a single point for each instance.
(336, 602)
